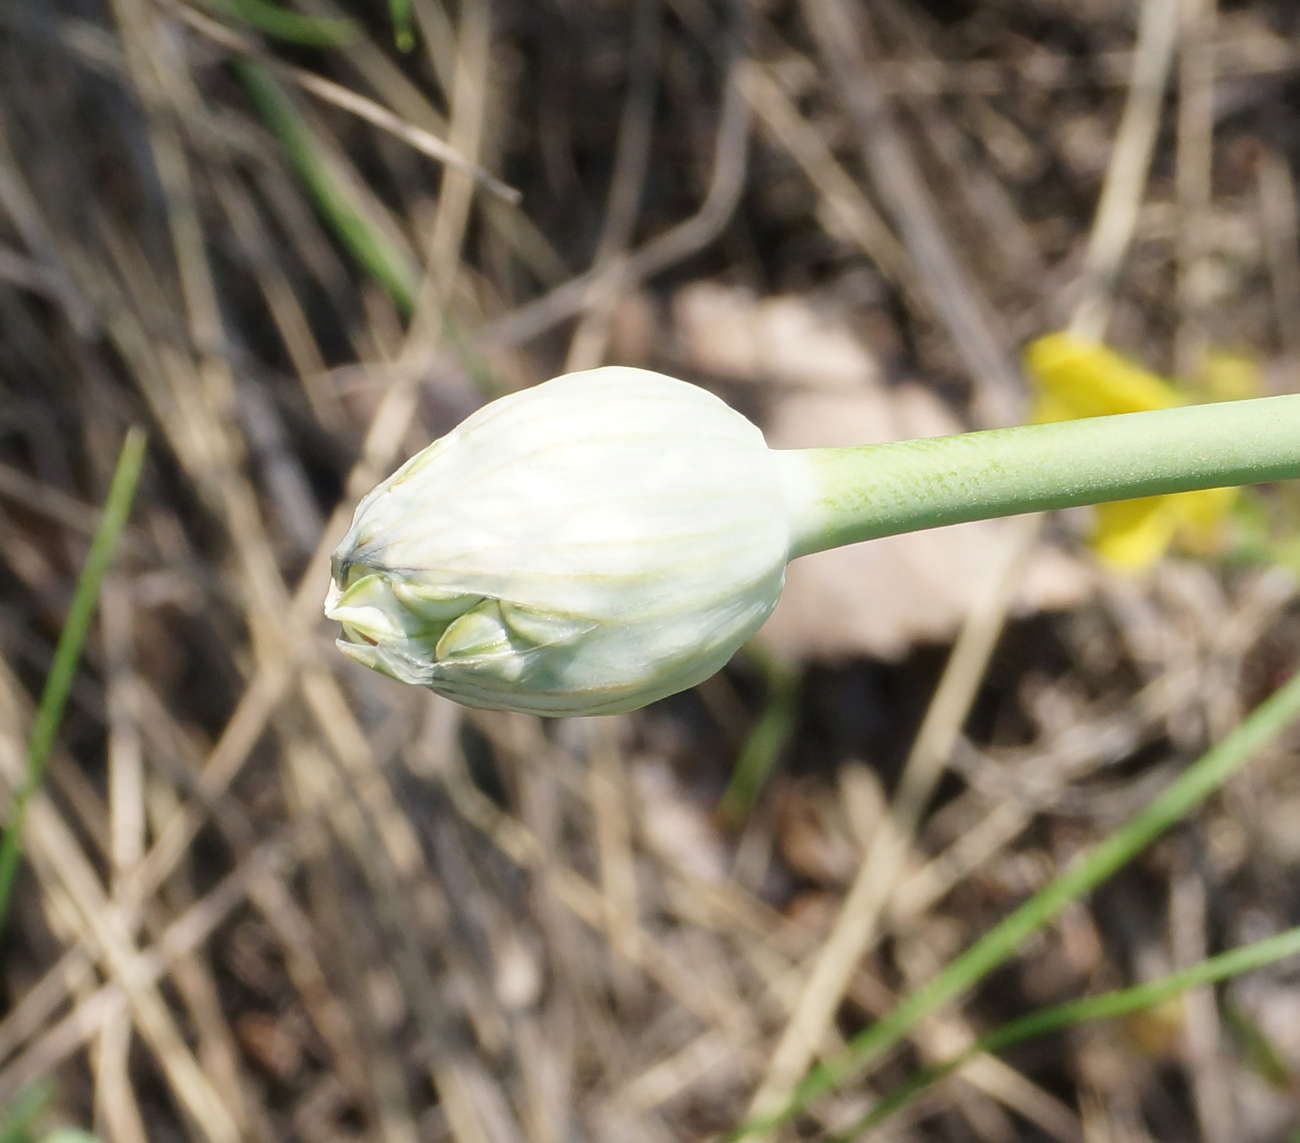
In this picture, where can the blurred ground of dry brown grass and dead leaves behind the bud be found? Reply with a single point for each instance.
(272, 897)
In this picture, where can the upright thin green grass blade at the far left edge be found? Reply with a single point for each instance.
(54, 698)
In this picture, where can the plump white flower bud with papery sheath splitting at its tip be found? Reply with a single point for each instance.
(584, 547)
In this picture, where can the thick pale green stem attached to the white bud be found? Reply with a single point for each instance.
(843, 496)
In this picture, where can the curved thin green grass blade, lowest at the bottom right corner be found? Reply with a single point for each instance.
(1106, 1007)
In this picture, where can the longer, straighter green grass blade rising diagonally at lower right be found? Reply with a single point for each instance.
(1186, 794)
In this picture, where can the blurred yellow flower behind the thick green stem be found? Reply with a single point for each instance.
(1078, 379)
